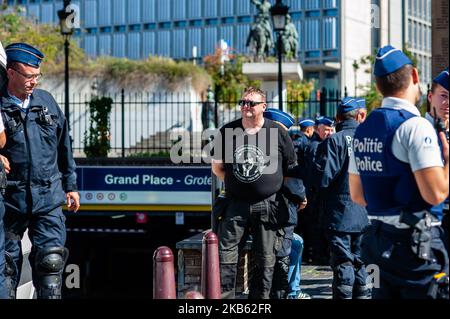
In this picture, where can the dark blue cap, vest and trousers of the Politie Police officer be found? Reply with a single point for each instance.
(409, 253)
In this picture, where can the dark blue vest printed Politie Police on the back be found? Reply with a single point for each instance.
(389, 184)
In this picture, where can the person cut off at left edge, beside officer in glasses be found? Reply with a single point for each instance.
(3, 291)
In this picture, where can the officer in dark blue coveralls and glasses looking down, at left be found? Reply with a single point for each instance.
(42, 173)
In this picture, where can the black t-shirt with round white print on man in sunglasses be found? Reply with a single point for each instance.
(254, 164)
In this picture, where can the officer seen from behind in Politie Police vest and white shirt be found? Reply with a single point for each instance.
(397, 172)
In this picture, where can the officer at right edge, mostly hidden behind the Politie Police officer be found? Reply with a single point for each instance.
(438, 116)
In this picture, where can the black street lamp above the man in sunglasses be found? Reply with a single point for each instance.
(279, 12)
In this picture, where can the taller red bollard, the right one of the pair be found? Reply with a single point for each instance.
(210, 267)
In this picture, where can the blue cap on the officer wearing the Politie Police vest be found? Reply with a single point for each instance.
(389, 60)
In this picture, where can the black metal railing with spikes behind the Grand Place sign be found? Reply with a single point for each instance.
(148, 124)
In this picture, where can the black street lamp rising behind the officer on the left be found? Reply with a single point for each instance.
(66, 29)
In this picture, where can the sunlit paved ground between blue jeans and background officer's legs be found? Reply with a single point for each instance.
(316, 281)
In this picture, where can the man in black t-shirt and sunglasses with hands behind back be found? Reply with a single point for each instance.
(251, 155)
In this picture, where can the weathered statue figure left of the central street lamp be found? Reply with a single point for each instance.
(260, 38)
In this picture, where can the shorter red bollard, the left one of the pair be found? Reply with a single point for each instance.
(163, 274)
